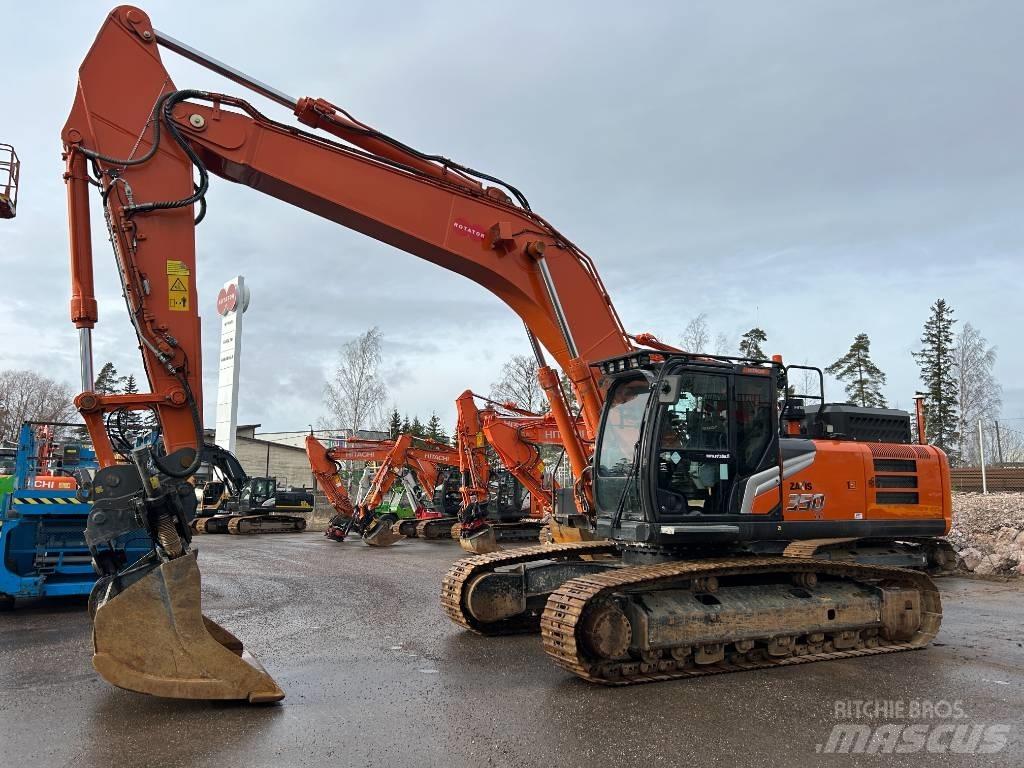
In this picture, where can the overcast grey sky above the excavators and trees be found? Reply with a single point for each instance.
(817, 169)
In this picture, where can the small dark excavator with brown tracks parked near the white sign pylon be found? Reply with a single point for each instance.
(246, 505)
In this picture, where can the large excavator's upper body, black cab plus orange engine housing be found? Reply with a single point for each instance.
(706, 450)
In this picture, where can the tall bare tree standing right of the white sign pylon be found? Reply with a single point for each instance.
(357, 396)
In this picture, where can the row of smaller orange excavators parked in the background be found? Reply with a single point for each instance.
(490, 487)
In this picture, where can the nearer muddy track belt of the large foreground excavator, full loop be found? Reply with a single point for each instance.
(568, 605)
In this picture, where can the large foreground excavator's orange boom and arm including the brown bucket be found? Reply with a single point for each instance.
(150, 151)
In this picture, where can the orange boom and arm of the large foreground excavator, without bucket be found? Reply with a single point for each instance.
(145, 141)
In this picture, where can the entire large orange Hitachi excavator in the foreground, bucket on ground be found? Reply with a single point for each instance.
(742, 529)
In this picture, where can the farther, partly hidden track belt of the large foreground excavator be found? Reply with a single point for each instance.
(462, 572)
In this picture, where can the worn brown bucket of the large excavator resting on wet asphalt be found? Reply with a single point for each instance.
(153, 638)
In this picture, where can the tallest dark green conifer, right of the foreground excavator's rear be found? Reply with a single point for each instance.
(938, 373)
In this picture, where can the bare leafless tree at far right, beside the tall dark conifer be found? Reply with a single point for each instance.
(979, 394)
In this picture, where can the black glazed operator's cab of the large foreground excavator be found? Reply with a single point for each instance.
(685, 446)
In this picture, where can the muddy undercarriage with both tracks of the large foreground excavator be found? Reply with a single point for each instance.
(610, 621)
